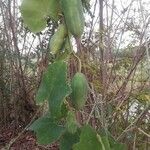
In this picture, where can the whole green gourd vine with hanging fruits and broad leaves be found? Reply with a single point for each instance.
(64, 99)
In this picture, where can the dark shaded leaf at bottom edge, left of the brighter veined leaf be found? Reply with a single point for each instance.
(68, 140)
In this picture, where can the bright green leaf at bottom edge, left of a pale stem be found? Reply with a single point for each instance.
(89, 140)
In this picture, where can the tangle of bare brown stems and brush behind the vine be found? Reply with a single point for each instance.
(115, 61)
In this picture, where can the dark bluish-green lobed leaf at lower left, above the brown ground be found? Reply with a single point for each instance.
(47, 130)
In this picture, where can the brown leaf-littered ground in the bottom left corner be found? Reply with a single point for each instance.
(26, 141)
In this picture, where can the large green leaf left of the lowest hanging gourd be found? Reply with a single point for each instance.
(54, 87)
